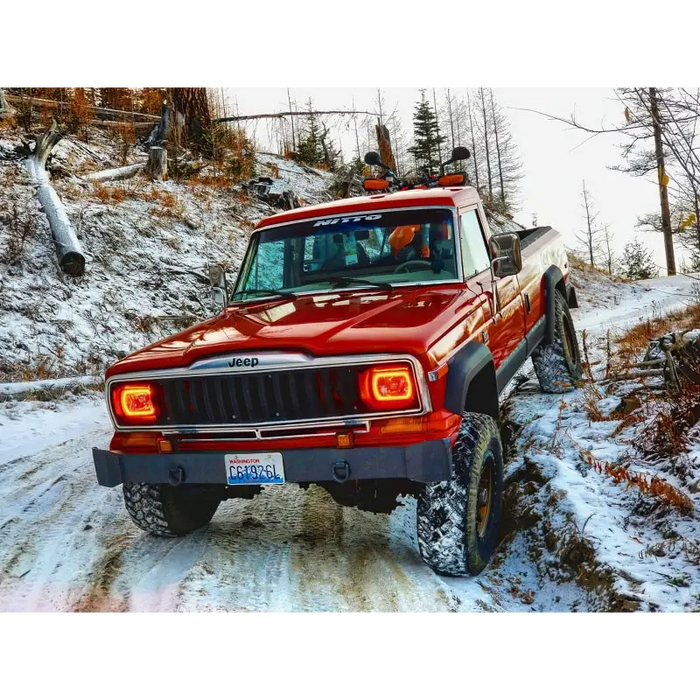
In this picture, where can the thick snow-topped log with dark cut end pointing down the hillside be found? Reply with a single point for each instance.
(68, 248)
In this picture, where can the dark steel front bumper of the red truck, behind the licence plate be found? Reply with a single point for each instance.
(425, 462)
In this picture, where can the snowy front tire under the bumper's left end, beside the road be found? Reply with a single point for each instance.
(171, 511)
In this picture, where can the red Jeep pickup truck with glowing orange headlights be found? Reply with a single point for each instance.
(363, 349)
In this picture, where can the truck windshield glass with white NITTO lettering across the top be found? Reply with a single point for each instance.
(375, 249)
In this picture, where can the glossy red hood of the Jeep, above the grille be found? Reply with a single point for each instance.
(407, 320)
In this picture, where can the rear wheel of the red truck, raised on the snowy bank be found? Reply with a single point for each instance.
(558, 364)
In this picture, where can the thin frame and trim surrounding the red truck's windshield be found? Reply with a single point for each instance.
(252, 245)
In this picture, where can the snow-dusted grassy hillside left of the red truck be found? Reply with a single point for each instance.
(148, 247)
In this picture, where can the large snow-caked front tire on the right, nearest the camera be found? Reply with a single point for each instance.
(458, 519)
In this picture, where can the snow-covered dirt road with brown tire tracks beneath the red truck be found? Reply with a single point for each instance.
(67, 545)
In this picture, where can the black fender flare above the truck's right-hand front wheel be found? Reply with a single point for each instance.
(471, 381)
